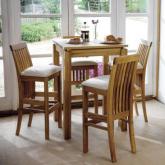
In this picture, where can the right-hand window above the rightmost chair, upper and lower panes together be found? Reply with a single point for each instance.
(136, 22)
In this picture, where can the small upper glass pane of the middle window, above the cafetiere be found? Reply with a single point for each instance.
(92, 6)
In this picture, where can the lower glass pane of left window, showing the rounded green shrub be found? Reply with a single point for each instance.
(39, 32)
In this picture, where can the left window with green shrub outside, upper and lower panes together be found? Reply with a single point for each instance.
(40, 22)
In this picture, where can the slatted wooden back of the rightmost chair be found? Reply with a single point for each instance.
(143, 51)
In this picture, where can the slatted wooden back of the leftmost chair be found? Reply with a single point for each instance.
(21, 57)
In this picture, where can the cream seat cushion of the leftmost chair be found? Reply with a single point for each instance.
(41, 71)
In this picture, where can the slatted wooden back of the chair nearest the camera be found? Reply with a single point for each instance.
(121, 86)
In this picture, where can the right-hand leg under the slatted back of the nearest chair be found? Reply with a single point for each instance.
(131, 135)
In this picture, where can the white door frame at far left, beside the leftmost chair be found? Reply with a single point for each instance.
(11, 34)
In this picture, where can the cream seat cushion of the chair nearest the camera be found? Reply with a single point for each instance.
(100, 82)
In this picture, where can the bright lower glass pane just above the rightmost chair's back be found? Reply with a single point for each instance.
(136, 29)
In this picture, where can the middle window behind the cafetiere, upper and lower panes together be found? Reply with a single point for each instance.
(96, 14)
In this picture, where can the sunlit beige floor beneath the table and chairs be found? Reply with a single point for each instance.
(30, 148)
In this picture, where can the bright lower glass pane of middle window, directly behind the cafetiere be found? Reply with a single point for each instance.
(103, 23)
